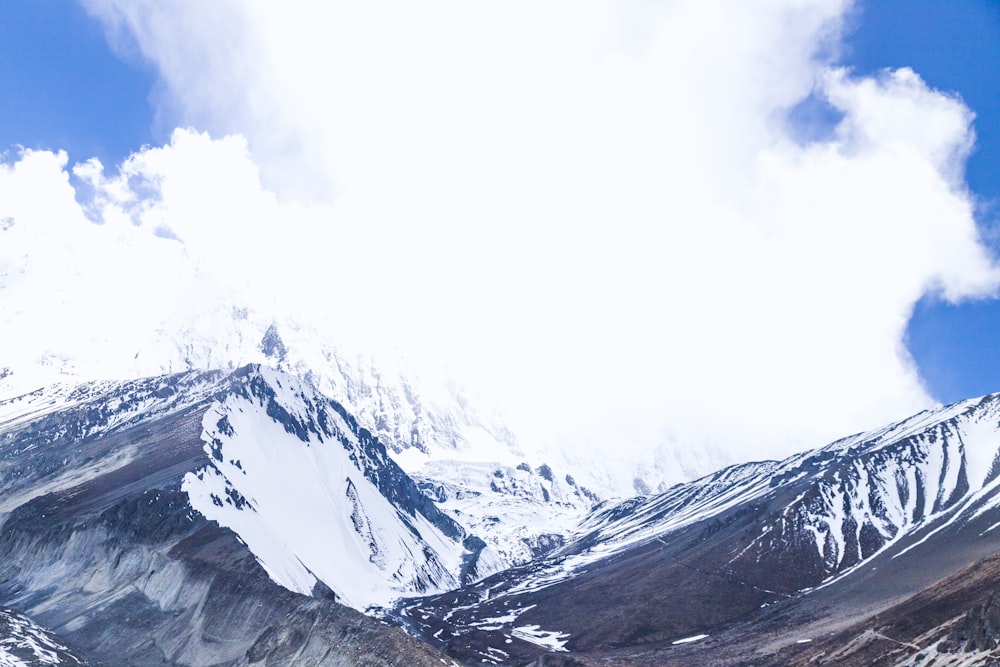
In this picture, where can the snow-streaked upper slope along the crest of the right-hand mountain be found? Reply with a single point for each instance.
(846, 502)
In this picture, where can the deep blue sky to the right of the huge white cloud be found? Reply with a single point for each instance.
(954, 46)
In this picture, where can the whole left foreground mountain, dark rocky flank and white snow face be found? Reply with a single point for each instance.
(108, 541)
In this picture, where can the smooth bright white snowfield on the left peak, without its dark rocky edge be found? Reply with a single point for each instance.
(310, 513)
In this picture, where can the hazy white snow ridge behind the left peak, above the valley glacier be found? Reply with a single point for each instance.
(404, 410)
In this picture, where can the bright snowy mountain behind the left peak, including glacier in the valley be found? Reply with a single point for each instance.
(433, 429)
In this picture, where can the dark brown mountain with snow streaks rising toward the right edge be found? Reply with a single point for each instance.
(852, 527)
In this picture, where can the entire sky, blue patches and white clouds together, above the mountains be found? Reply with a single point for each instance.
(642, 227)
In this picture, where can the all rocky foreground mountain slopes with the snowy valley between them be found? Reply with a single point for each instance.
(243, 517)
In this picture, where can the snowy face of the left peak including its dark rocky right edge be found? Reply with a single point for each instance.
(319, 502)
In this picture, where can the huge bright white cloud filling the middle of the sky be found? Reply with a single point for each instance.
(592, 211)
